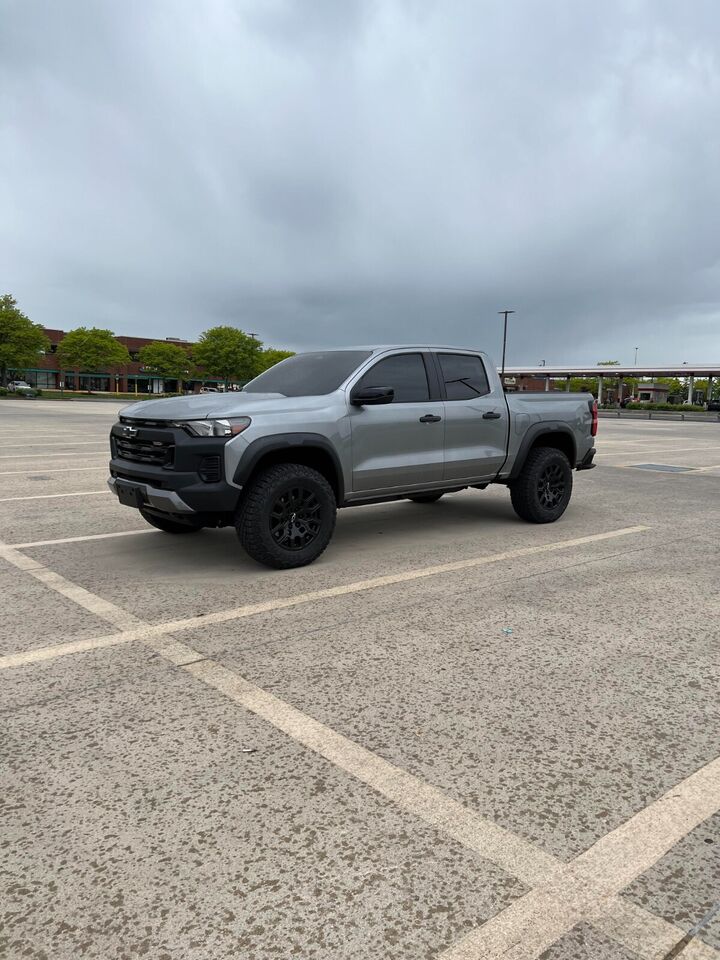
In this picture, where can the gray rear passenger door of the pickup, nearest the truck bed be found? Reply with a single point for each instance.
(476, 418)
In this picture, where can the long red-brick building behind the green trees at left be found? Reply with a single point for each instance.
(131, 378)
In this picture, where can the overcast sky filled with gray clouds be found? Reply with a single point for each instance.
(326, 172)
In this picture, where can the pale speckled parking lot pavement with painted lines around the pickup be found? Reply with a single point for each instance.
(455, 736)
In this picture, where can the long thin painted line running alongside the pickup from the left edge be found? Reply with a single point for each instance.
(146, 633)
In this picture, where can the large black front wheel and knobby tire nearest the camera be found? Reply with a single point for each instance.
(277, 540)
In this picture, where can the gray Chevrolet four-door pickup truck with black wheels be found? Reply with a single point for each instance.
(343, 428)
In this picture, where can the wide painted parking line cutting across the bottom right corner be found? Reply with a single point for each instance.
(535, 921)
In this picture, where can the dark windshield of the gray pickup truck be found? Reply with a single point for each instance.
(308, 374)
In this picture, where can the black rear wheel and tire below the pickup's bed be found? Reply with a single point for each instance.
(542, 491)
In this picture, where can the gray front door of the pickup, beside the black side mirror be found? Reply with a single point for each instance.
(399, 444)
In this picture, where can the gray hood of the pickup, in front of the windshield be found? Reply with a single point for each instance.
(212, 405)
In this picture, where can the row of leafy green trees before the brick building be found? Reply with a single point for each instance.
(223, 352)
